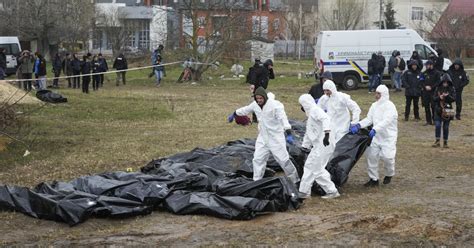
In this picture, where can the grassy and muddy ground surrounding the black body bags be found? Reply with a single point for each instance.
(430, 201)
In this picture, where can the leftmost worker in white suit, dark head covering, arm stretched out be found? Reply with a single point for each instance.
(272, 126)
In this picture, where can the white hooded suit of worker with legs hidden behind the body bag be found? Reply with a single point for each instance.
(338, 106)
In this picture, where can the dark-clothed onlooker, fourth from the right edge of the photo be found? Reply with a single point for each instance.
(411, 81)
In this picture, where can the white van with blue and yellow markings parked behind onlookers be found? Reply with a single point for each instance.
(346, 53)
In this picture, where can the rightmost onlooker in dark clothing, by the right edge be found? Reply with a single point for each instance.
(460, 80)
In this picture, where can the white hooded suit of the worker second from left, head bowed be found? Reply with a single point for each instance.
(315, 166)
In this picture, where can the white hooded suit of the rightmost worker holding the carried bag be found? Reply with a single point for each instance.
(383, 116)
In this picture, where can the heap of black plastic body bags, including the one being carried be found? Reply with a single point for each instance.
(214, 182)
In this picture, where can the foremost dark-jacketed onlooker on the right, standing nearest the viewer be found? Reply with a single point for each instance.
(444, 96)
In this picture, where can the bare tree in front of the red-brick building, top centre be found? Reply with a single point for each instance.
(211, 30)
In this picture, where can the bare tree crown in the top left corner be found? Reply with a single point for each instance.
(47, 22)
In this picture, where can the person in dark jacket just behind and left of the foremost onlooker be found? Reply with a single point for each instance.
(431, 78)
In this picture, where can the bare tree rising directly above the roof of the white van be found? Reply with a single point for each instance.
(343, 15)
